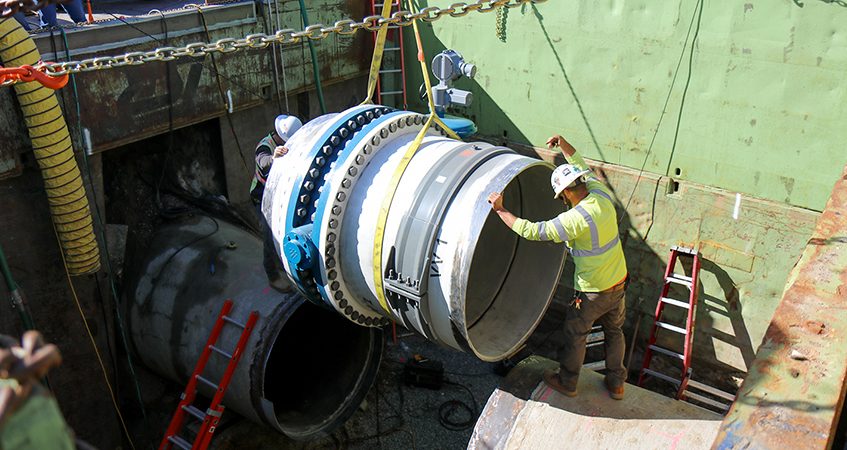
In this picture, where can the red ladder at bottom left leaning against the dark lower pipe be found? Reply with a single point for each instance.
(209, 420)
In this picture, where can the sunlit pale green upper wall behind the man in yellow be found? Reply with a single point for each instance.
(764, 113)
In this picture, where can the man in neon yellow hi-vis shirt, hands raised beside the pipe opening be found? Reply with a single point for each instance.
(590, 230)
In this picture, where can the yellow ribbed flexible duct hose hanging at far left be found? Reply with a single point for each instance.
(53, 150)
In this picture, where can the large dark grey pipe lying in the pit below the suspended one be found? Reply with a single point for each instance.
(304, 370)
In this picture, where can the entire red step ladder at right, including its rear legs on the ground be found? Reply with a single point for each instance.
(687, 389)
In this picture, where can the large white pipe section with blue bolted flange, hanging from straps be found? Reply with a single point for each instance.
(450, 270)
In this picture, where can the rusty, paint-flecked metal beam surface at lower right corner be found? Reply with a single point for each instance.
(794, 393)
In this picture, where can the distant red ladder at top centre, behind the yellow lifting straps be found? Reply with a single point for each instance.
(391, 82)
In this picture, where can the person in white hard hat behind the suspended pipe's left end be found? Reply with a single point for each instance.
(271, 148)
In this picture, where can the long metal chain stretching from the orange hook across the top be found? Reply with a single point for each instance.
(314, 32)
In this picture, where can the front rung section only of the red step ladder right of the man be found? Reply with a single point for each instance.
(688, 332)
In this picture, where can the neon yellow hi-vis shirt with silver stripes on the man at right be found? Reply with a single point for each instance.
(590, 230)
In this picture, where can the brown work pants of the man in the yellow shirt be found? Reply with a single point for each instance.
(607, 309)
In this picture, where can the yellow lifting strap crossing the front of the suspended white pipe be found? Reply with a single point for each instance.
(401, 169)
